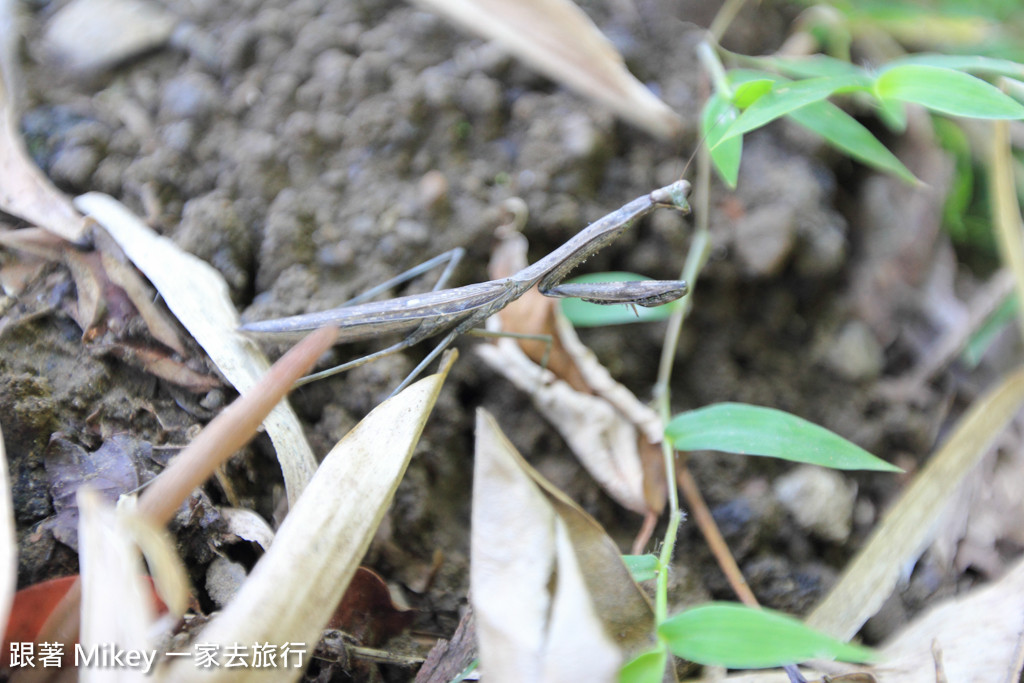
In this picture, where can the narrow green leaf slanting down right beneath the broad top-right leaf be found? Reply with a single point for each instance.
(844, 133)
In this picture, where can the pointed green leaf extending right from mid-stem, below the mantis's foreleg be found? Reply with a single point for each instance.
(755, 431)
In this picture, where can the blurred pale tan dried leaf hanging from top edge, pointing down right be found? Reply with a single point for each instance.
(559, 39)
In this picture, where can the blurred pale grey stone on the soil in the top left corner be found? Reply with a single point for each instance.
(90, 35)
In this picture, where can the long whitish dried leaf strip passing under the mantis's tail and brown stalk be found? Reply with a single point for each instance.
(197, 294)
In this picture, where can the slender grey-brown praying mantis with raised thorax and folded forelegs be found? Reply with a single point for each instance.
(457, 311)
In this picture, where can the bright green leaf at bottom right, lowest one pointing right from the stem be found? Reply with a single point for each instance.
(731, 635)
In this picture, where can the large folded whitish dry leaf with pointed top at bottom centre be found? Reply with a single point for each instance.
(549, 588)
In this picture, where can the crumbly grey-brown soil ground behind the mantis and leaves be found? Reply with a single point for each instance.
(310, 150)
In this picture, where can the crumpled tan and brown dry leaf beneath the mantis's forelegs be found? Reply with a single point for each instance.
(612, 434)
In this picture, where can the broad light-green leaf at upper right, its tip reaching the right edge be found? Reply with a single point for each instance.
(947, 92)
